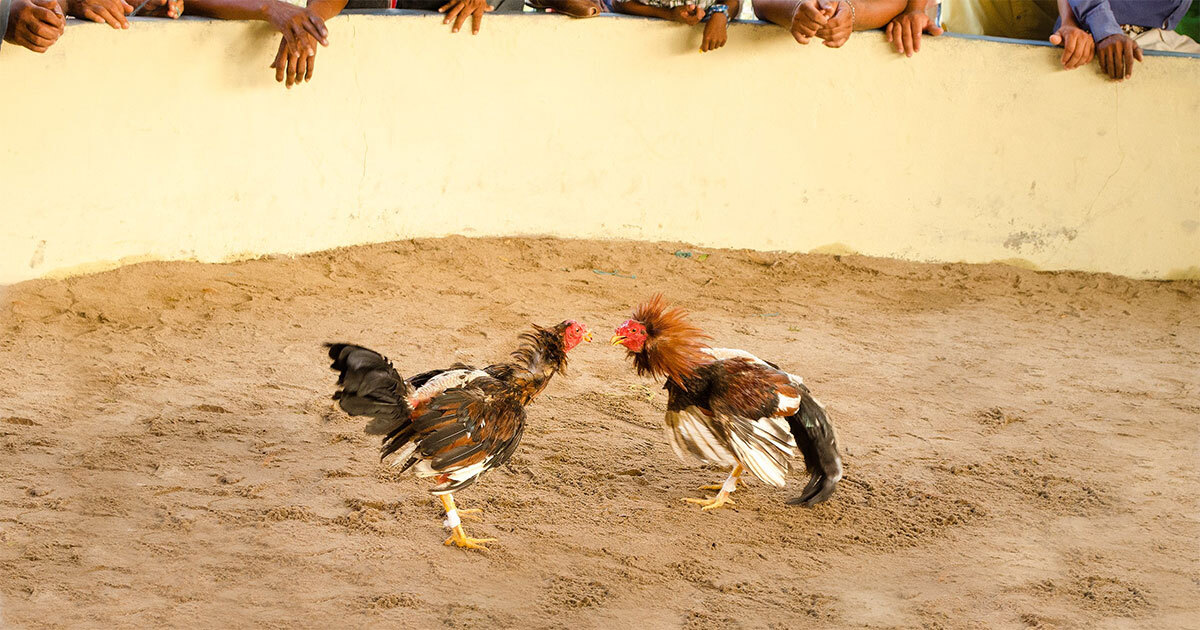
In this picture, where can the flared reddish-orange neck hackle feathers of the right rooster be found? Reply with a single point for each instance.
(674, 347)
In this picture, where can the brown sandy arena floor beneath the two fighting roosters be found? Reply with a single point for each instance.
(1021, 448)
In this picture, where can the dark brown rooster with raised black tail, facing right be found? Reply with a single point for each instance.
(454, 424)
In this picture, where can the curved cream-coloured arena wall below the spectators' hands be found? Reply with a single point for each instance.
(172, 142)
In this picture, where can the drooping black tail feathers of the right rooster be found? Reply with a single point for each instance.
(819, 443)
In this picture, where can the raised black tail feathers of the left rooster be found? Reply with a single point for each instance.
(371, 387)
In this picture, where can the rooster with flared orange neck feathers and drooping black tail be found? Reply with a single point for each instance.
(731, 409)
